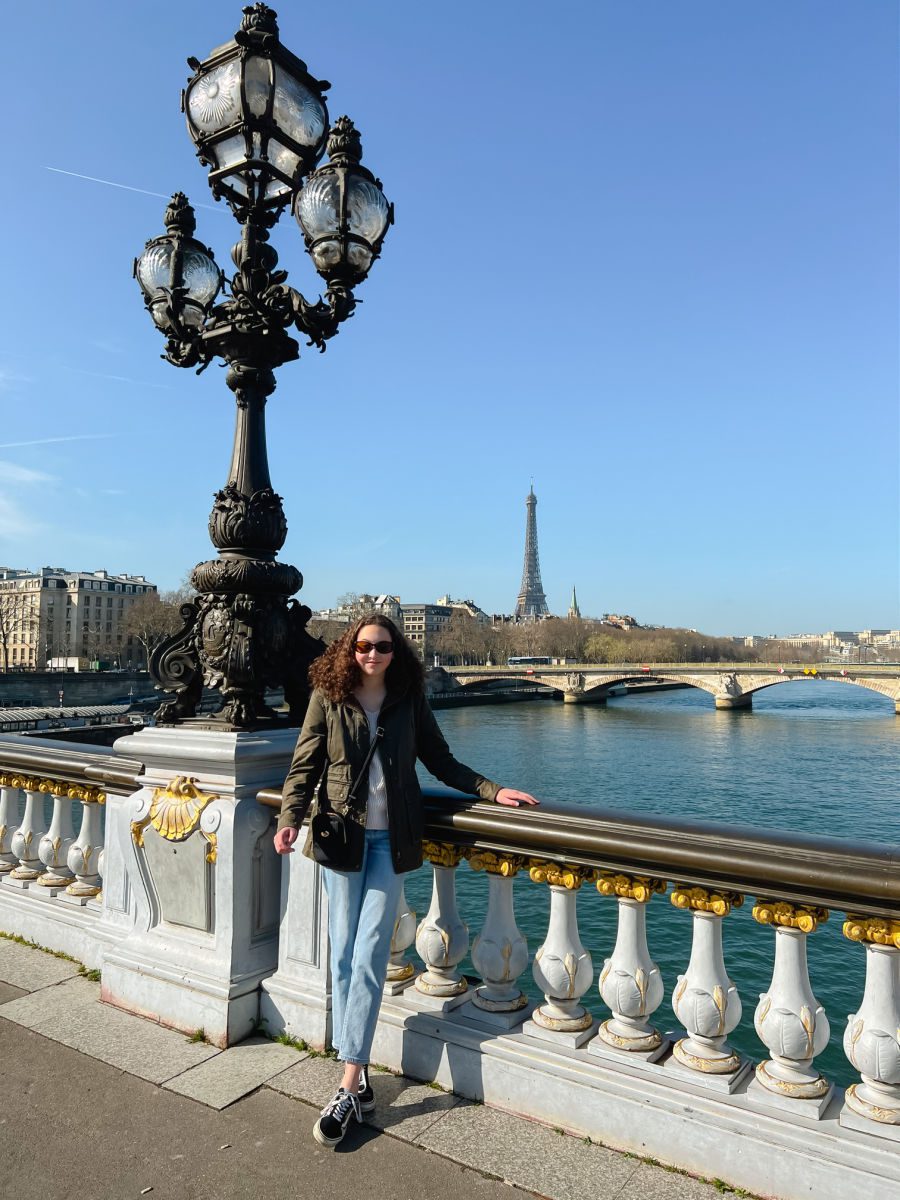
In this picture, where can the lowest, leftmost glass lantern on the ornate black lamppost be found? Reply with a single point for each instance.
(177, 274)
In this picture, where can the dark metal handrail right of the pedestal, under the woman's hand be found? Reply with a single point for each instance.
(830, 873)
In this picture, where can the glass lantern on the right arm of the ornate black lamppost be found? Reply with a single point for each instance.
(343, 211)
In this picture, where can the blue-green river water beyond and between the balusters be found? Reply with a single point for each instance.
(812, 757)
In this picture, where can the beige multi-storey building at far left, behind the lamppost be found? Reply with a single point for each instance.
(77, 617)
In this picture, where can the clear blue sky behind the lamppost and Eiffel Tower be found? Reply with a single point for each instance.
(645, 253)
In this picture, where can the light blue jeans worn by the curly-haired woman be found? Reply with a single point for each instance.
(362, 911)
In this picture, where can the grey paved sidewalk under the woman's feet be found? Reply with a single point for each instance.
(103, 1106)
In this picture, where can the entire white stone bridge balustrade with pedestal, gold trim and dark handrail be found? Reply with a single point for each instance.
(193, 921)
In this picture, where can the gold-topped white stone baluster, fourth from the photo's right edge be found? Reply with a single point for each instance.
(631, 982)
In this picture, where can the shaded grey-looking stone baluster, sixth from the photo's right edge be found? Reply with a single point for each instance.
(500, 953)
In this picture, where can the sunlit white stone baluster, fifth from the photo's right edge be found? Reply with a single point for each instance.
(562, 969)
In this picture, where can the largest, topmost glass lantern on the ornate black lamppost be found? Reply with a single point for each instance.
(256, 115)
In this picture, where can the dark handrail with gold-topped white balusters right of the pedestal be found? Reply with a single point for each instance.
(707, 871)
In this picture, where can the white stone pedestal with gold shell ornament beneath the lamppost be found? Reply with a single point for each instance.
(202, 878)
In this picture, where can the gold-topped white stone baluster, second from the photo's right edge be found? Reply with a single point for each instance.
(789, 1019)
